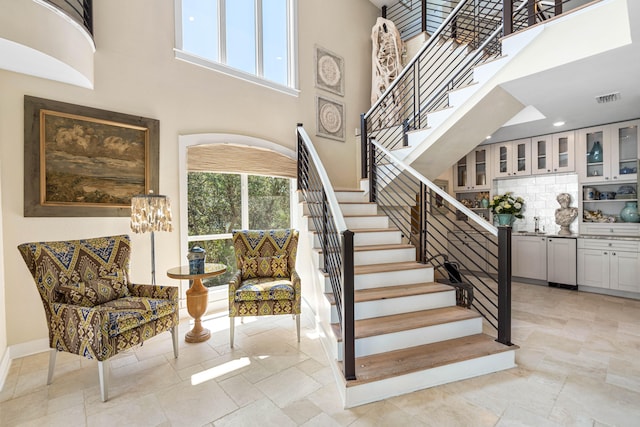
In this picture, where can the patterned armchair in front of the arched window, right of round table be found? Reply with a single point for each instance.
(266, 282)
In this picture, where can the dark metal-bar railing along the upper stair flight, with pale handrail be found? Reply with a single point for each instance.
(471, 29)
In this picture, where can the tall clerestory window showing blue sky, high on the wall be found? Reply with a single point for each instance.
(249, 39)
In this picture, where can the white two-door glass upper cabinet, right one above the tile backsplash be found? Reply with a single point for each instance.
(553, 153)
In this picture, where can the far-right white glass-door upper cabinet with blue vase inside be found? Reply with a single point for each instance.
(608, 153)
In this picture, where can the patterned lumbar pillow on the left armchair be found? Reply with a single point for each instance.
(95, 291)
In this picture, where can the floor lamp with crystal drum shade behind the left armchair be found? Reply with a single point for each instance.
(151, 213)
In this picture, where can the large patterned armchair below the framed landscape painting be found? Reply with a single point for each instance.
(92, 308)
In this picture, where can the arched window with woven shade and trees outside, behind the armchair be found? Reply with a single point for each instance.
(232, 182)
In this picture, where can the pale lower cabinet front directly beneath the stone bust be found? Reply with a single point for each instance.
(561, 260)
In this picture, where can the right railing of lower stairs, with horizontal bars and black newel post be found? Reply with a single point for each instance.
(442, 228)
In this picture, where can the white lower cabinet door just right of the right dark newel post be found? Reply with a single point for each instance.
(529, 257)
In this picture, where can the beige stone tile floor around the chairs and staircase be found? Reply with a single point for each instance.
(578, 365)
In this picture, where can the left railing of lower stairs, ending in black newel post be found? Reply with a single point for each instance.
(335, 239)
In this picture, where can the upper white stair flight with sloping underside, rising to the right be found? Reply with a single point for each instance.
(442, 132)
